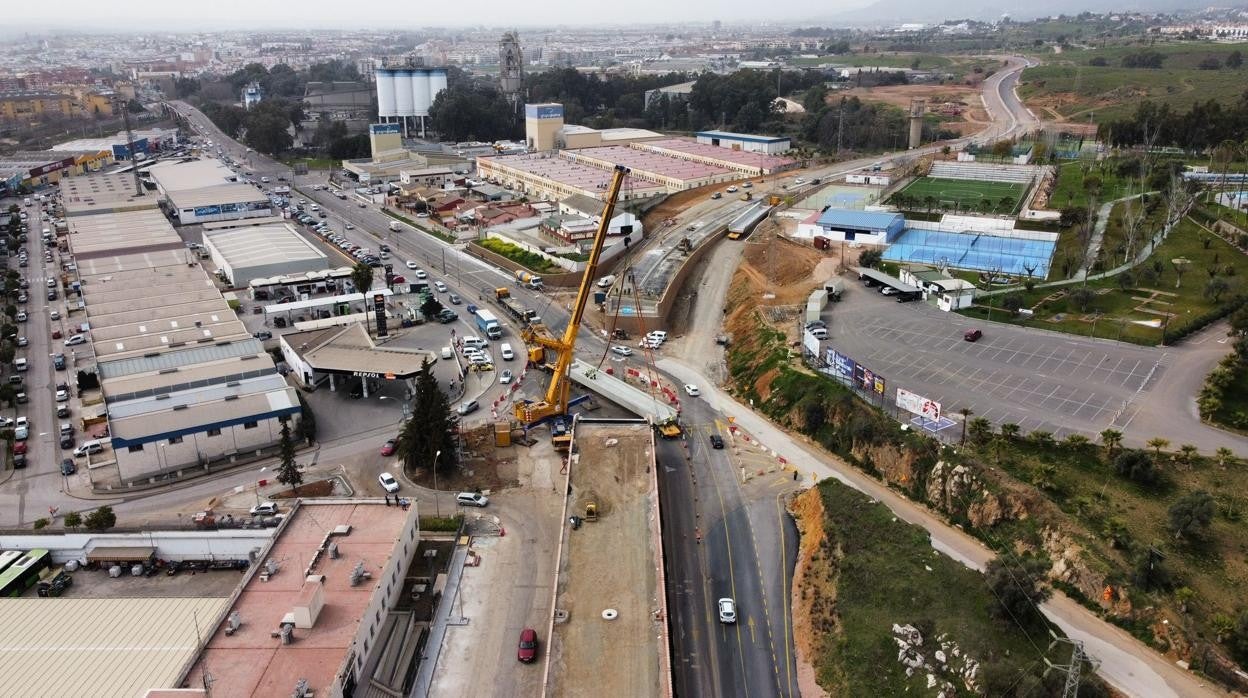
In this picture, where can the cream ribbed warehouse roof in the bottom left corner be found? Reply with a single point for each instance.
(130, 645)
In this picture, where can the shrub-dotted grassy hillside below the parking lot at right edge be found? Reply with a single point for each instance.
(1084, 485)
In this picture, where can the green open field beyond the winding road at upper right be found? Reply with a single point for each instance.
(1114, 92)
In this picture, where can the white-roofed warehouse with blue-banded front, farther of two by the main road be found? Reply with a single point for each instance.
(208, 192)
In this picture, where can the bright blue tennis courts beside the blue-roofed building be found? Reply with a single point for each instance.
(980, 252)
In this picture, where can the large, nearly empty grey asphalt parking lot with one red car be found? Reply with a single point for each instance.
(1035, 379)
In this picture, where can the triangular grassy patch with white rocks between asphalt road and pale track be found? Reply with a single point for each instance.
(888, 574)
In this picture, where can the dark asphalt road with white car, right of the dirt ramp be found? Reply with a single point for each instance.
(723, 541)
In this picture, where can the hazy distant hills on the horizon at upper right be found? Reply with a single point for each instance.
(929, 12)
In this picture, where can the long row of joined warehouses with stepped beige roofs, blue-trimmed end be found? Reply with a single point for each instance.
(182, 383)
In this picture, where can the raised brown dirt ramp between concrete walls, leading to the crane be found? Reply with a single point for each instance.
(610, 626)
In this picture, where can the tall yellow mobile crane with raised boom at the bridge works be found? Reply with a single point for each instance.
(556, 401)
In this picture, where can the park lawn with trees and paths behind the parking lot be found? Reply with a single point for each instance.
(1119, 314)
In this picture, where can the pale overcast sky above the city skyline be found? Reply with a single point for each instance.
(143, 16)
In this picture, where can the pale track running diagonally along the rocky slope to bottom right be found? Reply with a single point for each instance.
(1126, 664)
